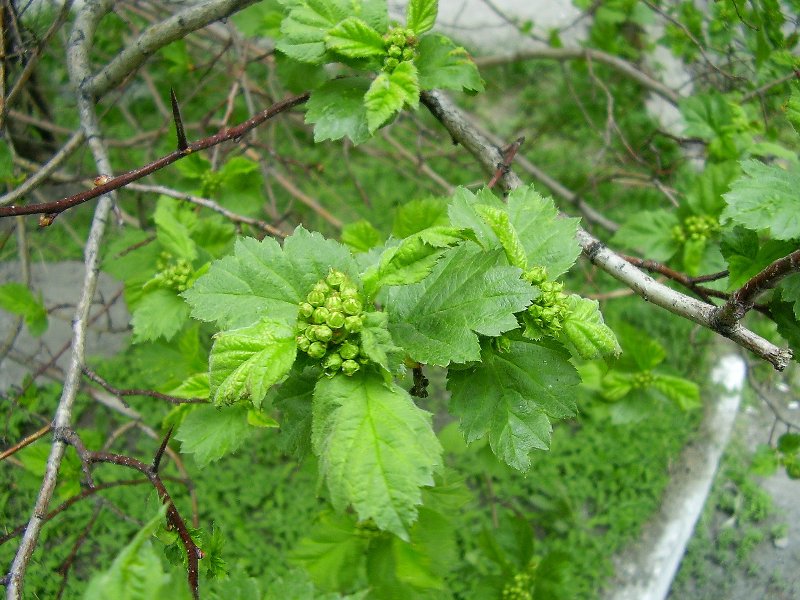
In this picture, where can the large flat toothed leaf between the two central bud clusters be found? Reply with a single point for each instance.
(469, 292)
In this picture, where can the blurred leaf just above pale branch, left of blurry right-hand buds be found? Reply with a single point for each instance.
(649, 232)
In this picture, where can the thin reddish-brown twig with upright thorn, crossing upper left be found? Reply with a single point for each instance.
(108, 184)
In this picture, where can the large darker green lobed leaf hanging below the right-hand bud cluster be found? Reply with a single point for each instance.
(519, 389)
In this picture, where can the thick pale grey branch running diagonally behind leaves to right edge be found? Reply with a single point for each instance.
(463, 131)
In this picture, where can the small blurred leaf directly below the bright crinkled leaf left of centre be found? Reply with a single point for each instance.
(210, 433)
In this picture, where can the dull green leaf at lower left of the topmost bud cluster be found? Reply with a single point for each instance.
(337, 110)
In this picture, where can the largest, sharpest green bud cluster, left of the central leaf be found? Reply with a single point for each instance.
(329, 323)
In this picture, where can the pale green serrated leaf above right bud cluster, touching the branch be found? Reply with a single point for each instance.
(548, 240)
